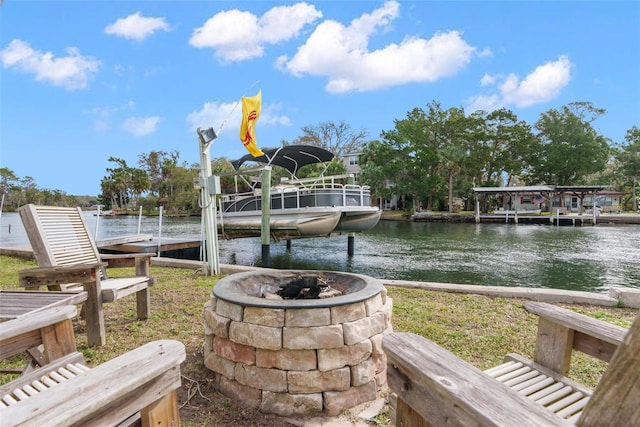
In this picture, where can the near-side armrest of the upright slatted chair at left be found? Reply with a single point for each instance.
(43, 276)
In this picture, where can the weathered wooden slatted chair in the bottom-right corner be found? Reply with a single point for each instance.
(435, 387)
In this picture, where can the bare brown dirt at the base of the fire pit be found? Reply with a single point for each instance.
(202, 405)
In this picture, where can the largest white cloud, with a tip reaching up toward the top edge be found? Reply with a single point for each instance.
(341, 54)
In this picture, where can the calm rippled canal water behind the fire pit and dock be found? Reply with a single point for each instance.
(581, 258)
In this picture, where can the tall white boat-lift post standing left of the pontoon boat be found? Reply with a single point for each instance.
(208, 203)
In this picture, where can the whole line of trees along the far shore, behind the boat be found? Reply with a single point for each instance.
(430, 158)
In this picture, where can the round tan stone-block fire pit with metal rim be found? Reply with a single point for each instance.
(297, 356)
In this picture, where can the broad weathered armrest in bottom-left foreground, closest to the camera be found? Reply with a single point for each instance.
(107, 393)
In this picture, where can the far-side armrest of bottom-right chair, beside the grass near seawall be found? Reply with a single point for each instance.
(595, 328)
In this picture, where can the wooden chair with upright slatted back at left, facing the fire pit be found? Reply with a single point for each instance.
(68, 259)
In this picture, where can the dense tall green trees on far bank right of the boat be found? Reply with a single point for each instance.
(435, 155)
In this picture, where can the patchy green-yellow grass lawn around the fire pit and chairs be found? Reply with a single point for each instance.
(478, 329)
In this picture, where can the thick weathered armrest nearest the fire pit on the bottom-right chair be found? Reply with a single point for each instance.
(445, 390)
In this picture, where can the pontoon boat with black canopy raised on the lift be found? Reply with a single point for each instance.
(308, 207)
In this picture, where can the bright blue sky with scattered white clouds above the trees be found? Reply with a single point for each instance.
(82, 81)
